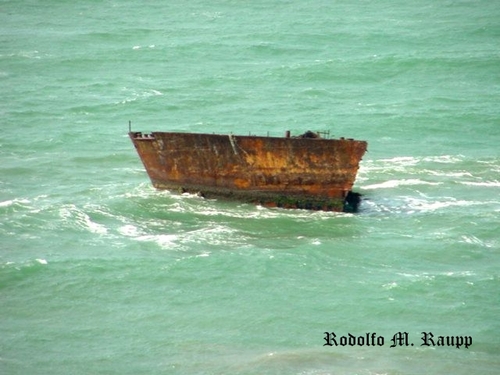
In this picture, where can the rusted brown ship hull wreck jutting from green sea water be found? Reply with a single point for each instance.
(308, 173)
